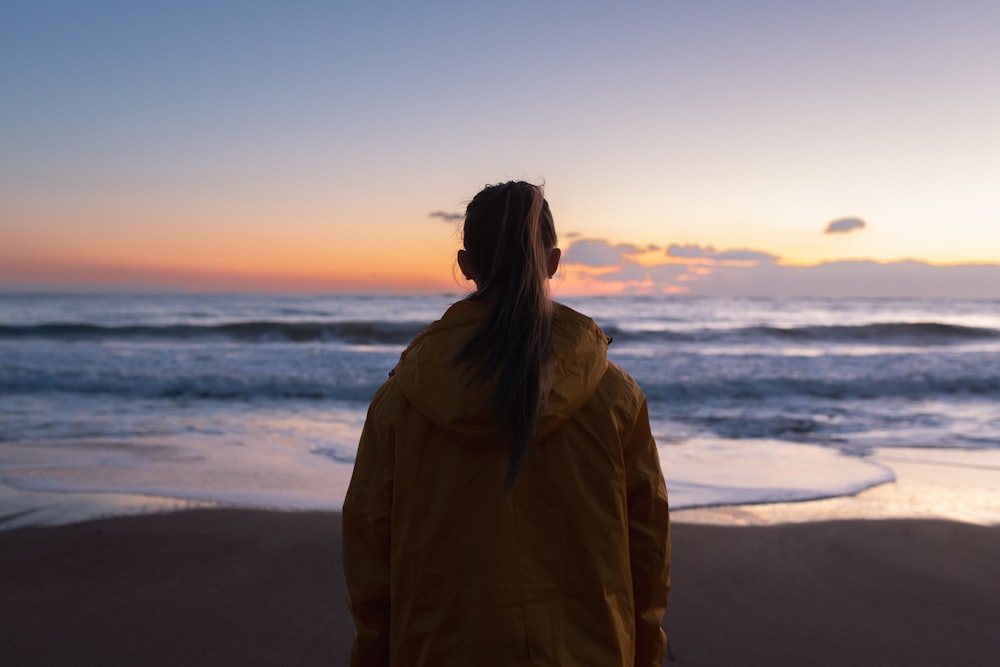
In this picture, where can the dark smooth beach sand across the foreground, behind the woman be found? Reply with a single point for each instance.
(241, 587)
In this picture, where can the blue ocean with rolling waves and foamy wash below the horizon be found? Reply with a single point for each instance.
(128, 403)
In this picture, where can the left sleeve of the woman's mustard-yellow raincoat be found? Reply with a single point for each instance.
(366, 540)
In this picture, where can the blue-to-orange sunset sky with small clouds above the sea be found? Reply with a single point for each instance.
(717, 147)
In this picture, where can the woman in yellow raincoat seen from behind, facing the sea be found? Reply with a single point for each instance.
(507, 504)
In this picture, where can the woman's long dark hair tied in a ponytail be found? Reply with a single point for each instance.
(508, 235)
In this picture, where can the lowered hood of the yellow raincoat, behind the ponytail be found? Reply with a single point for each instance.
(438, 388)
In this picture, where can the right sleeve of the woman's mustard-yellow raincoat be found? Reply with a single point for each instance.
(649, 540)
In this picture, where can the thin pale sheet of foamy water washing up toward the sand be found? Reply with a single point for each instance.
(286, 474)
